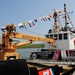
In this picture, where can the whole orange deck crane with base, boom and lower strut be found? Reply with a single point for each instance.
(8, 47)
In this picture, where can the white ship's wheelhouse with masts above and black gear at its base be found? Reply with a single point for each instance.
(64, 48)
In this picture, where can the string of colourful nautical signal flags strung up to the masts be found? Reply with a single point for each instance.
(32, 23)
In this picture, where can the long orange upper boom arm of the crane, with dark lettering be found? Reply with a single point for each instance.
(31, 38)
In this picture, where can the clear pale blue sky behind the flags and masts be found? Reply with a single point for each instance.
(18, 11)
